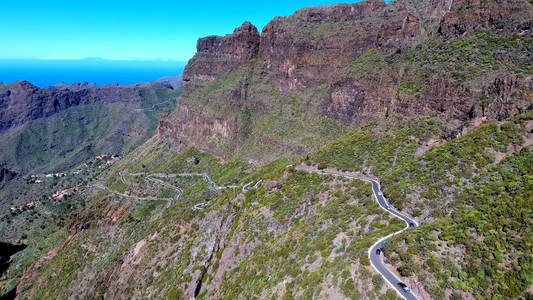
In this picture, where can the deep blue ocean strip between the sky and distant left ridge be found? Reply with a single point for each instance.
(49, 72)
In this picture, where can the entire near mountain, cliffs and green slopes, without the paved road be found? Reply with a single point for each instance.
(433, 99)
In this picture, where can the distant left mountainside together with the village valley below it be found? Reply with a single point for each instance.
(61, 130)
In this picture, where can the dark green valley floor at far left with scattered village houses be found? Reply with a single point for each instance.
(45, 226)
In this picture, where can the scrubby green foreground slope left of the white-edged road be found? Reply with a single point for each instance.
(309, 232)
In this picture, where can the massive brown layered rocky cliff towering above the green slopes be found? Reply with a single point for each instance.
(349, 63)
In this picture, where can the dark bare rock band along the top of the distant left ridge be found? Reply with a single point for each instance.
(21, 101)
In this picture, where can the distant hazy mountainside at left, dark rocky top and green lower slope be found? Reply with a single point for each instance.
(56, 128)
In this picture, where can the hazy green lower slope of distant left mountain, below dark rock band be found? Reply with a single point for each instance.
(73, 136)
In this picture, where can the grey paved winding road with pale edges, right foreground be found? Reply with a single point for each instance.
(376, 260)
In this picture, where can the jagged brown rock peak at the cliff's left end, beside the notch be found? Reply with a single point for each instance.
(217, 55)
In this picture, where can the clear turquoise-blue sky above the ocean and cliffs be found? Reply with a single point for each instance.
(131, 30)
